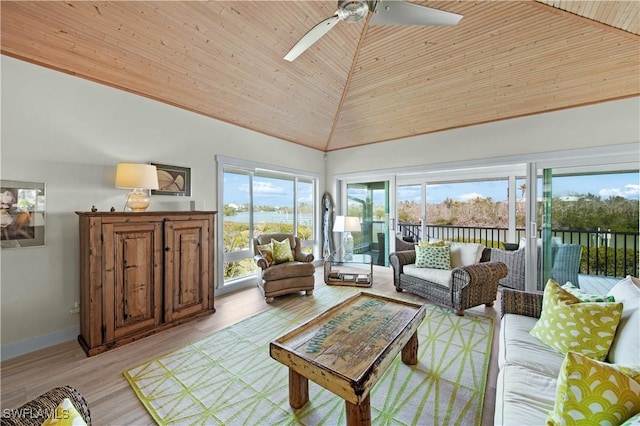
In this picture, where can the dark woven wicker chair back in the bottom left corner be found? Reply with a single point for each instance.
(36, 411)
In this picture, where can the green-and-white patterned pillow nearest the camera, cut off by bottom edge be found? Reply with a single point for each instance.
(592, 392)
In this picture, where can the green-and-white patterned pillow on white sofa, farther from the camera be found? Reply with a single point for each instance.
(566, 324)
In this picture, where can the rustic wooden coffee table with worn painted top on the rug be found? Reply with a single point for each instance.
(348, 348)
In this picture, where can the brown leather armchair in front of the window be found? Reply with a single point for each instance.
(277, 279)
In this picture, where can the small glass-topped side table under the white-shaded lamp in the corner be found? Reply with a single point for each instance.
(357, 270)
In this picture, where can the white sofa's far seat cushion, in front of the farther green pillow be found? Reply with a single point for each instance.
(518, 347)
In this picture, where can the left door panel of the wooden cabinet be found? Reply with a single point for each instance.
(133, 278)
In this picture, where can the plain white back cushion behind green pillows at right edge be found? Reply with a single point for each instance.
(624, 349)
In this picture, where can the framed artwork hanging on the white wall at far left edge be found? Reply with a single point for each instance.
(22, 213)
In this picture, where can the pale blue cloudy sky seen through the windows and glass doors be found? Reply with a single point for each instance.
(278, 192)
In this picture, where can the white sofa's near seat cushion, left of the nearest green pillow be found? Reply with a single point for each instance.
(523, 397)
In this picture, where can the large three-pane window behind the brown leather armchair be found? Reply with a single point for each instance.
(257, 200)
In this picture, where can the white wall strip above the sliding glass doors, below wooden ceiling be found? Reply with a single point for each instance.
(604, 124)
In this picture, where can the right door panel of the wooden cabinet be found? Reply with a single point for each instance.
(186, 268)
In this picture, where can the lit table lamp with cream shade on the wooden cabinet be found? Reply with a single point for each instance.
(140, 178)
